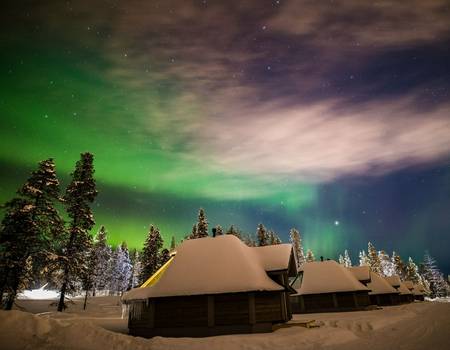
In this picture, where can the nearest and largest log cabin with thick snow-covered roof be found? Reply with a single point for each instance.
(215, 286)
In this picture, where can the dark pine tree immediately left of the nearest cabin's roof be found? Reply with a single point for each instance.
(150, 254)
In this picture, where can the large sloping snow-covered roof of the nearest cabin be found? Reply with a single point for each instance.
(223, 264)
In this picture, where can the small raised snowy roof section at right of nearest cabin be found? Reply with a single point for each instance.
(274, 257)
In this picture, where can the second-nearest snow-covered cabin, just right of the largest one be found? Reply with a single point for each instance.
(327, 286)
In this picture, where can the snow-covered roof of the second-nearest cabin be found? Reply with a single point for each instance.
(327, 277)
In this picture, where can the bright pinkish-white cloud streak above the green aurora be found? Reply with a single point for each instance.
(323, 142)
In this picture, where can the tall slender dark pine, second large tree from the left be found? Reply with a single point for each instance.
(80, 193)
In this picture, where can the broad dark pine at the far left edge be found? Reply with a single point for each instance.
(42, 224)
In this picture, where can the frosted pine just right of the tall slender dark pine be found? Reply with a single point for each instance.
(103, 252)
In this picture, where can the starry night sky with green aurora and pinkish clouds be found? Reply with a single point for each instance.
(330, 116)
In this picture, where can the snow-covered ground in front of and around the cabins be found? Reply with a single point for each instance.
(424, 325)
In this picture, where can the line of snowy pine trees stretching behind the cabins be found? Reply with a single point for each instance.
(38, 243)
